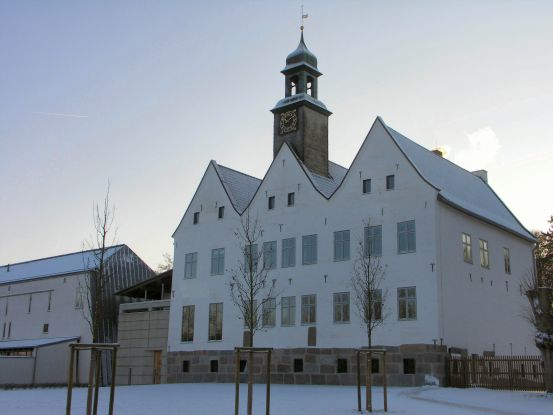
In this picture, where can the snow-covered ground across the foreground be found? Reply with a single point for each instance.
(209, 398)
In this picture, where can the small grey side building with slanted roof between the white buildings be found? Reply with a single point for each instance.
(143, 330)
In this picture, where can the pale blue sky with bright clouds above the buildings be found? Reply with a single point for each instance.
(145, 93)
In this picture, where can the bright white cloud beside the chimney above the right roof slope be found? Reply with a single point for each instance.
(483, 146)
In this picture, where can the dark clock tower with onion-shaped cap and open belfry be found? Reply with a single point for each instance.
(300, 118)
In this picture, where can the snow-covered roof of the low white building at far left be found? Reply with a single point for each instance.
(47, 267)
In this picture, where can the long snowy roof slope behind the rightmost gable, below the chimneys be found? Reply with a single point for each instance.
(457, 186)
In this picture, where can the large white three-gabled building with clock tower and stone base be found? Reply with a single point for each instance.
(454, 253)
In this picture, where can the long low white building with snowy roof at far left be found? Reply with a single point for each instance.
(43, 307)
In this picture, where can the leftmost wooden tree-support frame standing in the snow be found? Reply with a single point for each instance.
(94, 375)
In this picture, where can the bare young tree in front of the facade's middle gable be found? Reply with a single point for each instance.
(249, 290)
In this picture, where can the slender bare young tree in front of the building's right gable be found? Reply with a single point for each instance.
(366, 280)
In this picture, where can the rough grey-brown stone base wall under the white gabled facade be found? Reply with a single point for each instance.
(319, 366)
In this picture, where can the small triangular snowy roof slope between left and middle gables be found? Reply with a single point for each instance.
(240, 187)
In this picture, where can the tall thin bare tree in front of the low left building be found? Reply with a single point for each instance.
(98, 274)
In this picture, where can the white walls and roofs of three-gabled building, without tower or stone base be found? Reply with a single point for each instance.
(461, 304)
